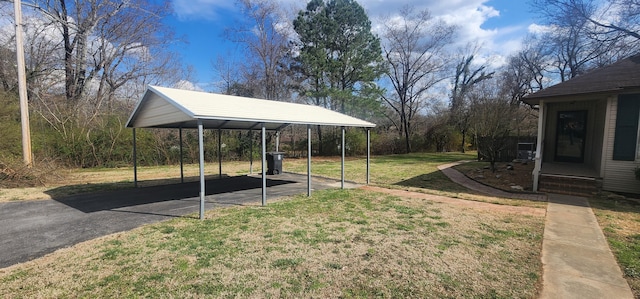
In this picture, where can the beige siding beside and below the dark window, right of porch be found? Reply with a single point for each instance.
(619, 175)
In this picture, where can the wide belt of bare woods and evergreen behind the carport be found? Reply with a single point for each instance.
(89, 61)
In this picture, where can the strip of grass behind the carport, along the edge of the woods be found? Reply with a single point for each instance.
(413, 170)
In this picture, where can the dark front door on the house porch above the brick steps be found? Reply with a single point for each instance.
(571, 135)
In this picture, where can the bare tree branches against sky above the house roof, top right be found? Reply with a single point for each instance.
(584, 34)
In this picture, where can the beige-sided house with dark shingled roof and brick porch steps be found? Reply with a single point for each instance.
(588, 136)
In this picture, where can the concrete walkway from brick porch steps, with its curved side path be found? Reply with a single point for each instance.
(576, 259)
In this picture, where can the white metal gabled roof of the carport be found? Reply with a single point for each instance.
(162, 107)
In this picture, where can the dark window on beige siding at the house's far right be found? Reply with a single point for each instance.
(625, 143)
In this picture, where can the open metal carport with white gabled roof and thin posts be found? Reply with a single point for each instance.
(170, 108)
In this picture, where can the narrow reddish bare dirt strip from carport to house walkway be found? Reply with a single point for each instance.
(461, 202)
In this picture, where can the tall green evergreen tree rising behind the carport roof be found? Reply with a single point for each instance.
(339, 58)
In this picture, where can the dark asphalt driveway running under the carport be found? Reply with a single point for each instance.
(32, 229)
